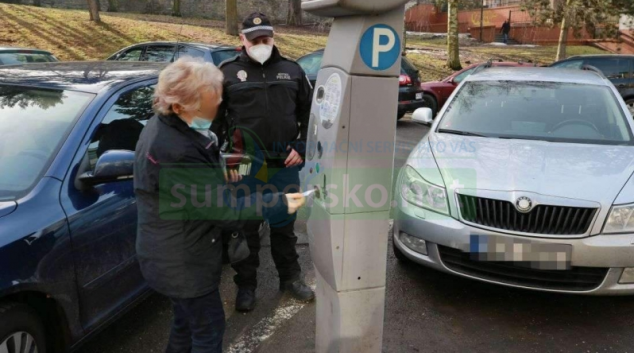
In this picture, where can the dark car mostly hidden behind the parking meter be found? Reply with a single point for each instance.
(410, 96)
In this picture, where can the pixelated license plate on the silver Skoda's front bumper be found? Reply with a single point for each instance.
(536, 255)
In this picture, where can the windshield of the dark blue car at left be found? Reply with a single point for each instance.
(33, 125)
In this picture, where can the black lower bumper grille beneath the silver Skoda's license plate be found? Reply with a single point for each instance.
(575, 279)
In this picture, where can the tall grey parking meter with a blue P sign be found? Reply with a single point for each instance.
(349, 161)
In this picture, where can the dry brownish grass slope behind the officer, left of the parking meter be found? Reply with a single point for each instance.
(70, 35)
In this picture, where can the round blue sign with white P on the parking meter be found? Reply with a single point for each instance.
(380, 47)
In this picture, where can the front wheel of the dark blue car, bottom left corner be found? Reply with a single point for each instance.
(19, 323)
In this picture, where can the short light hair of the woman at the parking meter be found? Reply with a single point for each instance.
(181, 82)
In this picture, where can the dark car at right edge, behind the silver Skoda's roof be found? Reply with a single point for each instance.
(617, 68)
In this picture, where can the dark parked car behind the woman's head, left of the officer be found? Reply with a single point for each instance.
(169, 51)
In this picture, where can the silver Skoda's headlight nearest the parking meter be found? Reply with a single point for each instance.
(422, 193)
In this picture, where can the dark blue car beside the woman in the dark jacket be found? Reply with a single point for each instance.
(68, 214)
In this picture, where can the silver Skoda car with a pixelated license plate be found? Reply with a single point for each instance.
(524, 180)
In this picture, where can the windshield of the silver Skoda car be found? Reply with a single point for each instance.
(548, 111)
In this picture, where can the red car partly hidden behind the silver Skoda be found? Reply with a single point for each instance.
(437, 92)
